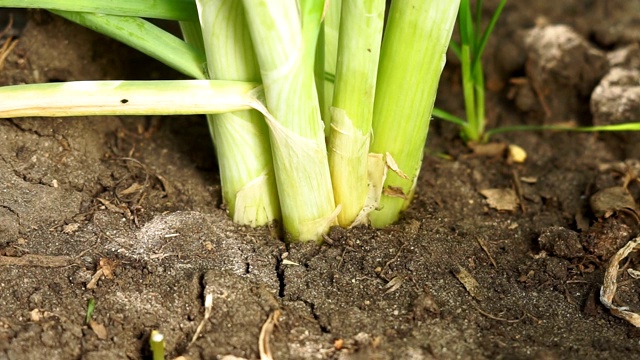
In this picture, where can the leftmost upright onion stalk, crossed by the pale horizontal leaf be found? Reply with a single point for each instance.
(241, 138)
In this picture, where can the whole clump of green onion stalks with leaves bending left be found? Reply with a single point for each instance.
(319, 111)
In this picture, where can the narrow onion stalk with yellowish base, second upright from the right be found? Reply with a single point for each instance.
(352, 107)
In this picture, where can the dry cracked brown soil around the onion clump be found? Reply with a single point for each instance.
(135, 203)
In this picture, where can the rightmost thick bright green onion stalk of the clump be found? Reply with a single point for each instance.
(412, 58)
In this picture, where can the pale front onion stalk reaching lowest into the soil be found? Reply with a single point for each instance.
(285, 38)
